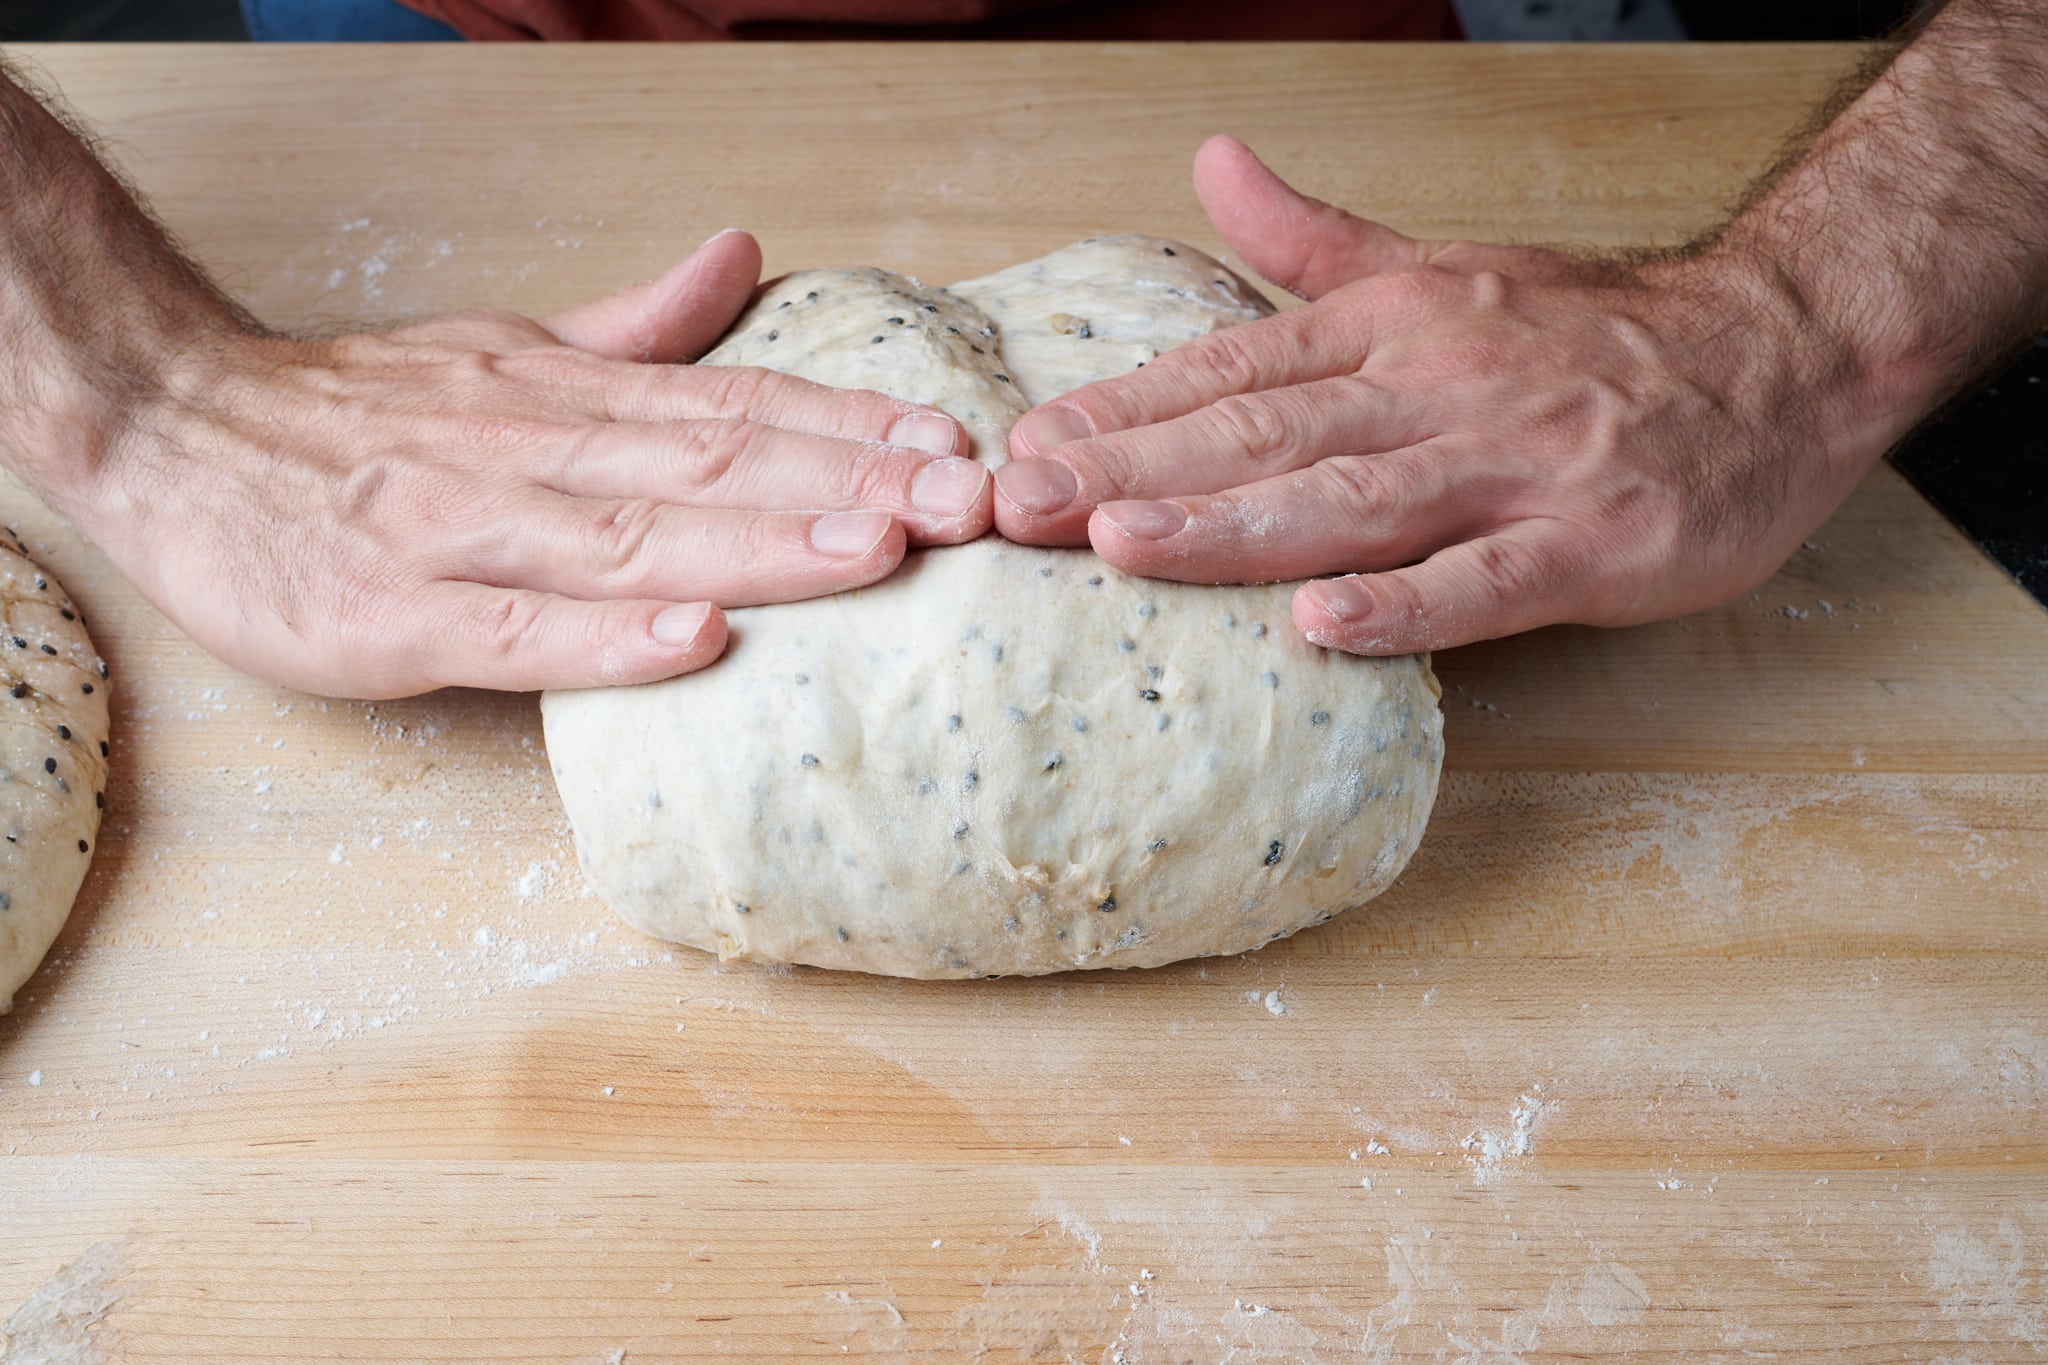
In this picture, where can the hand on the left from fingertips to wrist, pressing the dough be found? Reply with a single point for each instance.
(497, 502)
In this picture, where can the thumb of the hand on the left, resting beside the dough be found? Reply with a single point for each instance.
(677, 316)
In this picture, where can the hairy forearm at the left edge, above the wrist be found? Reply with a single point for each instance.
(97, 306)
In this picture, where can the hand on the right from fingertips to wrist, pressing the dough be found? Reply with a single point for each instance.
(1480, 439)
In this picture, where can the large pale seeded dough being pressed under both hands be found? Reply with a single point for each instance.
(1000, 760)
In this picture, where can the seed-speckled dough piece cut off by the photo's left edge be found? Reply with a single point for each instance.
(52, 762)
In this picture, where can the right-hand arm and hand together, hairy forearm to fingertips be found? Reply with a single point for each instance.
(1488, 439)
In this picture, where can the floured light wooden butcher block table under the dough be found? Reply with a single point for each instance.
(1709, 1022)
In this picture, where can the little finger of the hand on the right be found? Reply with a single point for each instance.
(1476, 590)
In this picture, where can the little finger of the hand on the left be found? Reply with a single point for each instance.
(523, 642)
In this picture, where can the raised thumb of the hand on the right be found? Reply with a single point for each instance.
(1302, 245)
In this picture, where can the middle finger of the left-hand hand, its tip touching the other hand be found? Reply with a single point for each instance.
(753, 468)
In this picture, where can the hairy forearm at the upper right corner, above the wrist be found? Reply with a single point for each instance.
(1916, 224)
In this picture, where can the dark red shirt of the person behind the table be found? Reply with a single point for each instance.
(941, 19)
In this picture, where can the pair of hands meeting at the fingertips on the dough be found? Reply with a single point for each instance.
(1453, 441)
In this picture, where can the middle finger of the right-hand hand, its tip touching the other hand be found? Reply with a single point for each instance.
(1240, 439)
